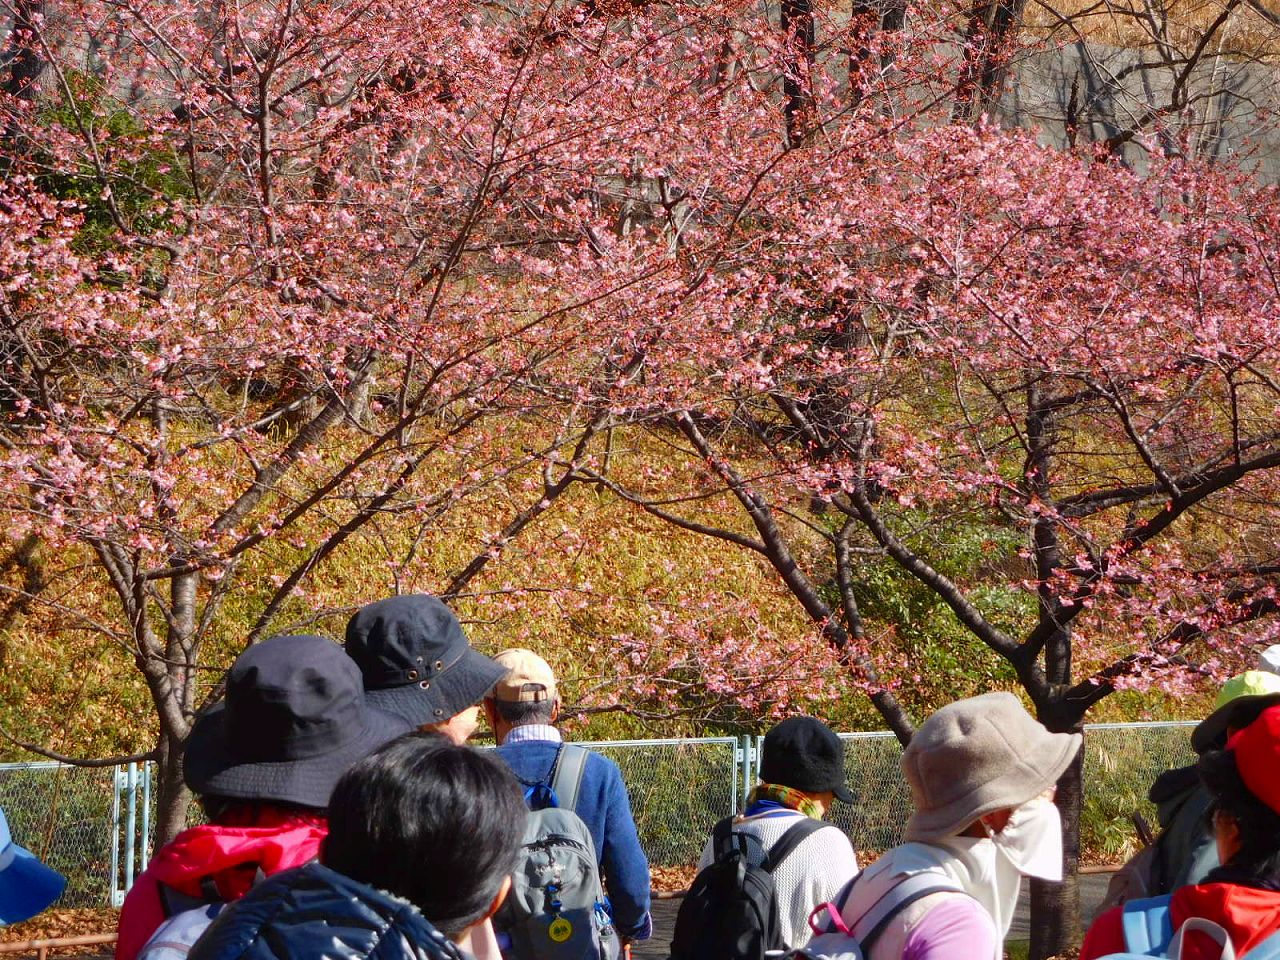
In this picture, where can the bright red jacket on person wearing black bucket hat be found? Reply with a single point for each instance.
(228, 856)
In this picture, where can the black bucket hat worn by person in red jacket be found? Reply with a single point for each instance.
(294, 721)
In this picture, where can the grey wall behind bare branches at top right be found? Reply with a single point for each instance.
(1233, 108)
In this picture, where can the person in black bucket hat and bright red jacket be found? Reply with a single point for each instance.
(264, 764)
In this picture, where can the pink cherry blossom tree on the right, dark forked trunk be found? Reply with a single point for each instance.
(976, 332)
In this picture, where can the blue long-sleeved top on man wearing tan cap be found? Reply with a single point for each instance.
(604, 806)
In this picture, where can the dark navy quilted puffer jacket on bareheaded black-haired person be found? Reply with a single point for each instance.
(314, 913)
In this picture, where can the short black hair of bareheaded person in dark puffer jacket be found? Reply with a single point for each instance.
(433, 822)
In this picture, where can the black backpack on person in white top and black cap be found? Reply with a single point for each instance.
(732, 911)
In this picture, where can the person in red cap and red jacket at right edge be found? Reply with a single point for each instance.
(1244, 894)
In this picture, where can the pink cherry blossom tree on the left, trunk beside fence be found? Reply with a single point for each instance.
(264, 267)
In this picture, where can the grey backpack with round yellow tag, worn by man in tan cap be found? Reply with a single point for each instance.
(557, 909)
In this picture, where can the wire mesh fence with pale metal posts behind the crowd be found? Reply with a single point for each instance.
(95, 825)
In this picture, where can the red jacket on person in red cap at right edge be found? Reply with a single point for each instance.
(1247, 915)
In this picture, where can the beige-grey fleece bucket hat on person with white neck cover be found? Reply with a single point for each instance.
(979, 756)
